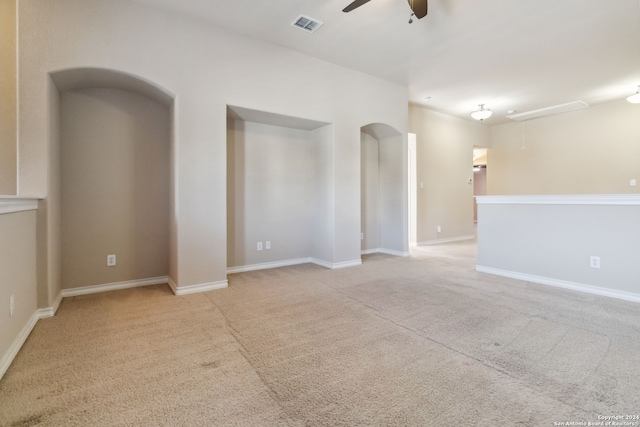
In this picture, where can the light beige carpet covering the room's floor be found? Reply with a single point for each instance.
(417, 341)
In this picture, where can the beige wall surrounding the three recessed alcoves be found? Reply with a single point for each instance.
(206, 68)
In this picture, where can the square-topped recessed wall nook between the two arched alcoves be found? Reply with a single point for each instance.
(279, 191)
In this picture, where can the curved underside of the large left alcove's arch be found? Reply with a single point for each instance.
(91, 77)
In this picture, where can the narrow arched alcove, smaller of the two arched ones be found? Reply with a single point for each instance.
(383, 190)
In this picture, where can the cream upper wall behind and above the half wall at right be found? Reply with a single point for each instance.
(590, 151)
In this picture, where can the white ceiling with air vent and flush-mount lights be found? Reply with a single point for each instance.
(508, 54)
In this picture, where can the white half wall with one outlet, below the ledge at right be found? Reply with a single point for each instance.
(552, 242)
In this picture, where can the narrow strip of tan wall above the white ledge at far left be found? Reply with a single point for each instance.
(8, 144)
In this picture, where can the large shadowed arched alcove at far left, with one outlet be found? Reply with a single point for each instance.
(110, 180)
